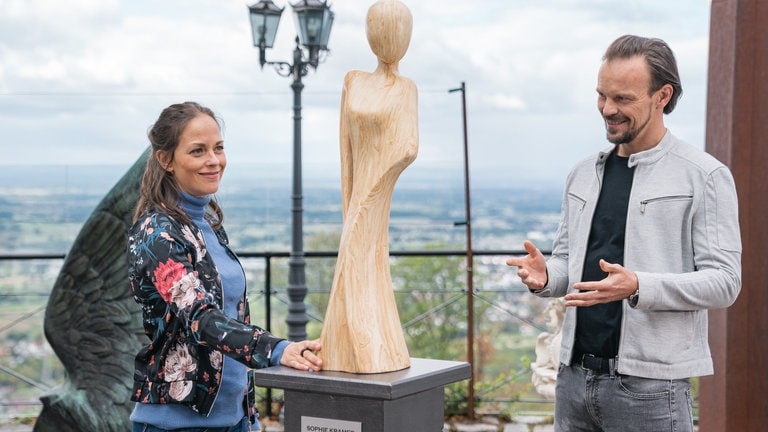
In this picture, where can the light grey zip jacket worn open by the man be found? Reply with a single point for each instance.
(682, 240)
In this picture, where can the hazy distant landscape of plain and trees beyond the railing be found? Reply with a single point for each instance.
(43, 208)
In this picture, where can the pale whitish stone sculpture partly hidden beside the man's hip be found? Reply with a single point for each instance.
(544, 368)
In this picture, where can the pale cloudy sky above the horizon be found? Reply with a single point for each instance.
(82, 80)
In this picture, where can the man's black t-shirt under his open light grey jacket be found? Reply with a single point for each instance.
(598, 326)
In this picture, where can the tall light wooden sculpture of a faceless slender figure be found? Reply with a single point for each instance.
(379, 139)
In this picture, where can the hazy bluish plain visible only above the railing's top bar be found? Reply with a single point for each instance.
(43, 207)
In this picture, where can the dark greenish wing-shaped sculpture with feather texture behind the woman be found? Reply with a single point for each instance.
(92, 322)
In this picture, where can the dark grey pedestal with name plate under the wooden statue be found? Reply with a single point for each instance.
(326, 401)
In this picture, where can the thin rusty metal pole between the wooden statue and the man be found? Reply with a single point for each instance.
(470, 262)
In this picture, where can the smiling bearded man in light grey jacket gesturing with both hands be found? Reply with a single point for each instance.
(648, 241)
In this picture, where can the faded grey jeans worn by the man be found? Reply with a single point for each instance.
(586, 400)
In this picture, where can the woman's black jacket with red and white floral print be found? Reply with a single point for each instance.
(177, 285)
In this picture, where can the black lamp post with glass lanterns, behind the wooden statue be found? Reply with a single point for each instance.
(313, 21)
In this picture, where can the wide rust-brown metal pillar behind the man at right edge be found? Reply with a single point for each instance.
(733, 399)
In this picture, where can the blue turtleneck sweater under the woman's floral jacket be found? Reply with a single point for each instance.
(228, 408)
